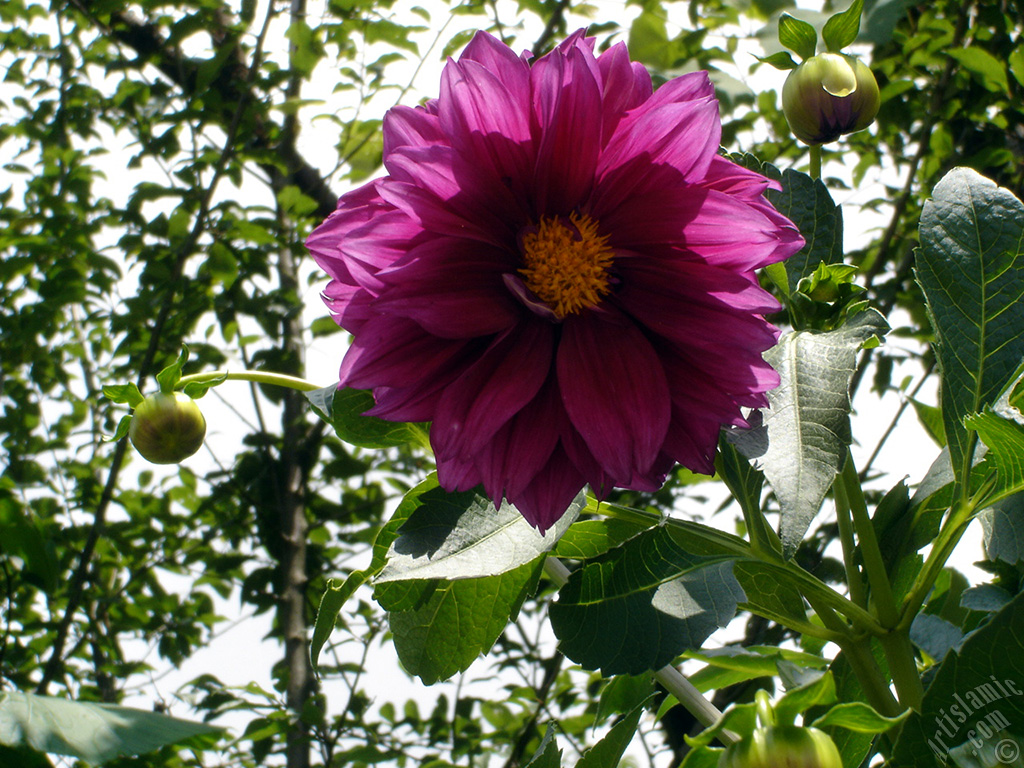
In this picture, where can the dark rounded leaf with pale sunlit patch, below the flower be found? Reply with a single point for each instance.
(644, 604)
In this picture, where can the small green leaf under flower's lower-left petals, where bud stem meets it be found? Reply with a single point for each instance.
(344, 410)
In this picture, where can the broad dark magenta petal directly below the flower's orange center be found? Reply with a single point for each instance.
(615, 392)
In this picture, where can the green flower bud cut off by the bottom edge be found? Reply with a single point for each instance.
(784, 747)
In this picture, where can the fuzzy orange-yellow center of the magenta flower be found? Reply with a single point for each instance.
(567, 264)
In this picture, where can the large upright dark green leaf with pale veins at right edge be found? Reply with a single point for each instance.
(970, 268)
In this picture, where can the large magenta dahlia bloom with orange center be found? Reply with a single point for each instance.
(558, 271)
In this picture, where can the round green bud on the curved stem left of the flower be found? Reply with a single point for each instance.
(167, 429)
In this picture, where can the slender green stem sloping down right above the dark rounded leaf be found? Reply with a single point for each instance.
(737, 547)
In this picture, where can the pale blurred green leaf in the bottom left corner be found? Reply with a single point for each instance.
(95, 733)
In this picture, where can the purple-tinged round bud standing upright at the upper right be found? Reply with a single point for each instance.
(829, 96)
